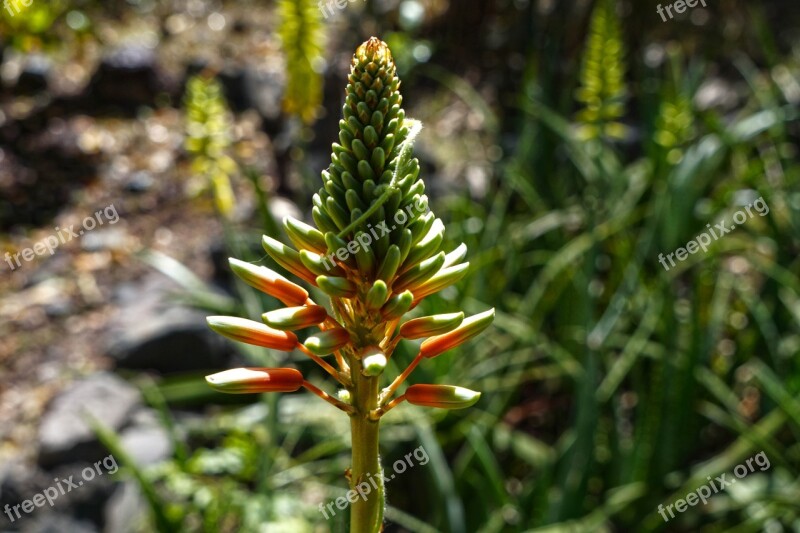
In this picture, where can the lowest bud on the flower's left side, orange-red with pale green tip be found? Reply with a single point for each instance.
(250, 380)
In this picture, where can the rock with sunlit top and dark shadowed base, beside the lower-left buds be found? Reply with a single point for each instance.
(152, 331)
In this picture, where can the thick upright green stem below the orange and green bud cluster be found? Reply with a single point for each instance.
(366, 514)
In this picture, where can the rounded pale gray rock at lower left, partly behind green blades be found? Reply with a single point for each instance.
(65, 434)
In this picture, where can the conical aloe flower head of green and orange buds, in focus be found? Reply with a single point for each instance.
(376, 251)
